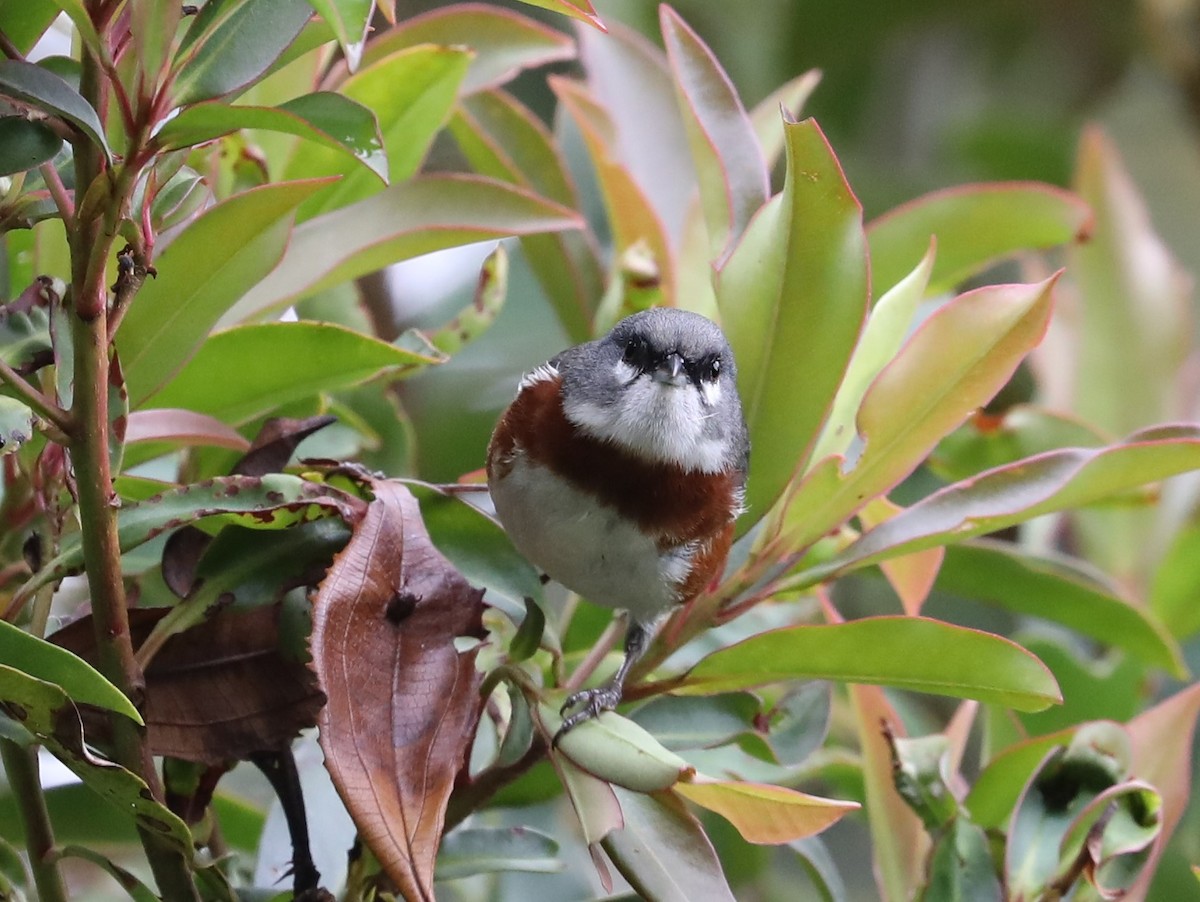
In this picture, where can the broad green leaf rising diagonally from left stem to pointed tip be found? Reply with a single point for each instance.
(205, 272)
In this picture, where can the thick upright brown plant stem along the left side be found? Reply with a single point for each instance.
(91, 248)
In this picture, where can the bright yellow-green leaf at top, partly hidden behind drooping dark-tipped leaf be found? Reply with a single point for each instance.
(411, 94)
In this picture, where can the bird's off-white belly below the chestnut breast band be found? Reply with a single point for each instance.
(586, 546)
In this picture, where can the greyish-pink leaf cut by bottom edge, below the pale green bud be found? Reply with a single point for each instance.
(663, 851)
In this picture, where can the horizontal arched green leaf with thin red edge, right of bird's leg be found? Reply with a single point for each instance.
(952, 662)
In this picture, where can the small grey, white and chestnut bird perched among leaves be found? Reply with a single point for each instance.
(620, 468)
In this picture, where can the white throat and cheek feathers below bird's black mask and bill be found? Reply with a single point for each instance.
(663, 422)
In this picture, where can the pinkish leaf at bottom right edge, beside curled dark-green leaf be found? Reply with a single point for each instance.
(1162, 756)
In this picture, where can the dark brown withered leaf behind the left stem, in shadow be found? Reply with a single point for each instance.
(219, 691)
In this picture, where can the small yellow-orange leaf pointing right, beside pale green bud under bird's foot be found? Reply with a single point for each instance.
(766, 814)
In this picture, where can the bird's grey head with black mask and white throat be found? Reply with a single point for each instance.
(662, 384)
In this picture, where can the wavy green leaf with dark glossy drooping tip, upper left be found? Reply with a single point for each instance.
(329, 119)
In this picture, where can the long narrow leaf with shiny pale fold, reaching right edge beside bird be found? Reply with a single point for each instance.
(1006, 496)
